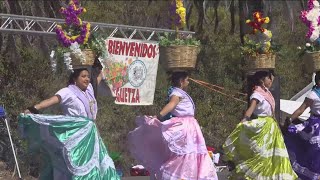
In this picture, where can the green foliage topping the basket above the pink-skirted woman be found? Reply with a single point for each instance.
(169, 40)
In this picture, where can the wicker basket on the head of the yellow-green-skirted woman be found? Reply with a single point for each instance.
(261, 61)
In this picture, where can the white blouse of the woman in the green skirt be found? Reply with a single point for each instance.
(71, 104)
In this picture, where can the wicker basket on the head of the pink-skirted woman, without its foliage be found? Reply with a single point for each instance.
(176, 58)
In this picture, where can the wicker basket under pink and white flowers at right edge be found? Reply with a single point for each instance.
(312, 61)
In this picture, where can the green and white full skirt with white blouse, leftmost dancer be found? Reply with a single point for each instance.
(70, 145)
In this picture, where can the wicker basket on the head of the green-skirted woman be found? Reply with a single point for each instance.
(89, 58)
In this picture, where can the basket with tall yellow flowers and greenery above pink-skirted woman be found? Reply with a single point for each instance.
(178, 52)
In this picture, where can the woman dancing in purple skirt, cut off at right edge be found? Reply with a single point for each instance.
(303, 140)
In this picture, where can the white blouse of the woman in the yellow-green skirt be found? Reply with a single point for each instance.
(263, 108)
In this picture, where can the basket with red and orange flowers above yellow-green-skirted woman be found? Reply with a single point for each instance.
(258, 49)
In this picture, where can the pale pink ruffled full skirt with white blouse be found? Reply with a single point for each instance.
(174, 149)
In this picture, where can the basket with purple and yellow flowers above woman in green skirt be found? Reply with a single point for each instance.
(79, 45)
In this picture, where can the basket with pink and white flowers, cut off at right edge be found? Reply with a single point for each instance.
(311, 52)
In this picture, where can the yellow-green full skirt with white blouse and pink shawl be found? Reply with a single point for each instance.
(257, 147)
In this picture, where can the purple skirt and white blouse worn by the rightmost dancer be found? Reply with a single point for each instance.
(304, 146)
